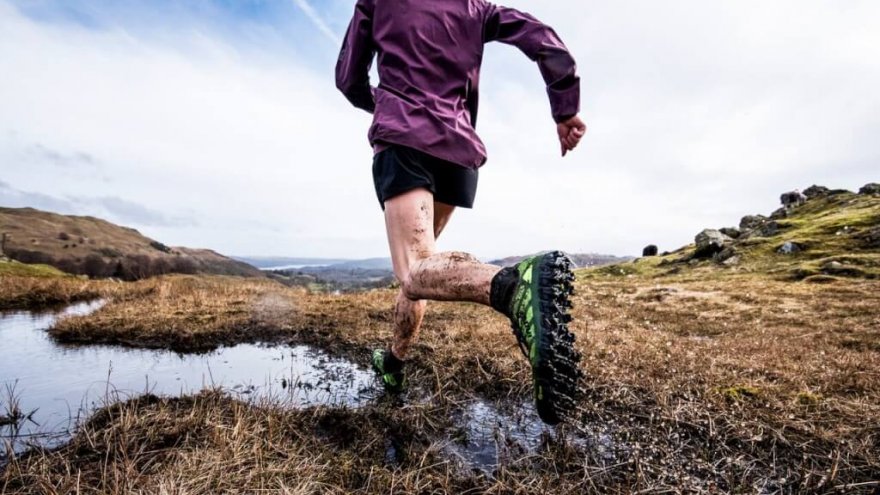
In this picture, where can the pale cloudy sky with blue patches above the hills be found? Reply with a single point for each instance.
(216, 123)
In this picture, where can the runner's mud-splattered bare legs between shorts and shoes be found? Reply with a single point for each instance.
(413, 221)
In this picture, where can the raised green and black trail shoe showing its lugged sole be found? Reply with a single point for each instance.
(539, 317)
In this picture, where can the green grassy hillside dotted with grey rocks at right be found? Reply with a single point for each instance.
(827, 235)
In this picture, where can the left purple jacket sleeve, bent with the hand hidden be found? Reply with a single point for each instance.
(356, 57)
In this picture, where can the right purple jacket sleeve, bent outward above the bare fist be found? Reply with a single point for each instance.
(542, 45)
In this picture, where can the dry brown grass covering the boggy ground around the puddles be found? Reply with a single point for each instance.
(730, 384)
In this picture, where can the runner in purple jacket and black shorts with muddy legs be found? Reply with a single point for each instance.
(426, 163)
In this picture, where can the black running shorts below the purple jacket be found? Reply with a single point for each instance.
(398, 169)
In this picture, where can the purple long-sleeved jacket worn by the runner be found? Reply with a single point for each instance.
(429, 56)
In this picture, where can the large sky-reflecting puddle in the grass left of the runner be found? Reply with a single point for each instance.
(46, 387)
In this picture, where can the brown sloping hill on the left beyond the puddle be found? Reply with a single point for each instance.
(98, 248)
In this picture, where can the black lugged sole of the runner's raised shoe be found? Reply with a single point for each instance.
(555, 371)
